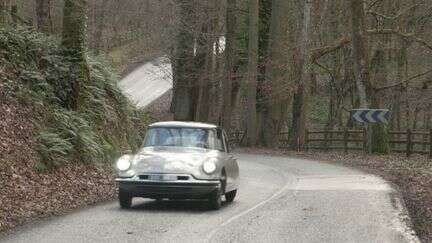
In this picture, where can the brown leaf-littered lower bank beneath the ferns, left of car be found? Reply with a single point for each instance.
(25, 194)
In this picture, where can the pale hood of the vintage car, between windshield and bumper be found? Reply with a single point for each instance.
(177, 160)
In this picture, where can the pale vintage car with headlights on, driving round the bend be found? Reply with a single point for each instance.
(180, 160)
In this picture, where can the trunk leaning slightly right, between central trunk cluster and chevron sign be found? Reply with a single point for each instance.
(298, 127)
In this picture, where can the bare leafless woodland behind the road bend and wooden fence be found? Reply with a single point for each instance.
(266, 66)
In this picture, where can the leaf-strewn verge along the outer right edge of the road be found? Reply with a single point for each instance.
(411, 177)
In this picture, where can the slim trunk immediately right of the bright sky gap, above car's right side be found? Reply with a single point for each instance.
(230, 53)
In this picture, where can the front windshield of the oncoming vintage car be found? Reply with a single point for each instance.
(183, 137)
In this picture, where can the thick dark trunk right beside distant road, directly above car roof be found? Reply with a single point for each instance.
(183, 100)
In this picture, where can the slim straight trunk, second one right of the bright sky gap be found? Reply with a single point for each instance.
(251, 117)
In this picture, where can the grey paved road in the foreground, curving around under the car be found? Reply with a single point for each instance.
(280, 200)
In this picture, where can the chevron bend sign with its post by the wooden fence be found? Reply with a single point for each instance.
(368, 117)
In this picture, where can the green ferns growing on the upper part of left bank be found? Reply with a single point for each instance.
(36, 72)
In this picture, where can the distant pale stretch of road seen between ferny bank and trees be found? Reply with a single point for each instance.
(148, 82)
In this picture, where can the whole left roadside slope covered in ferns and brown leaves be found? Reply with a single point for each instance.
(53, 159)
